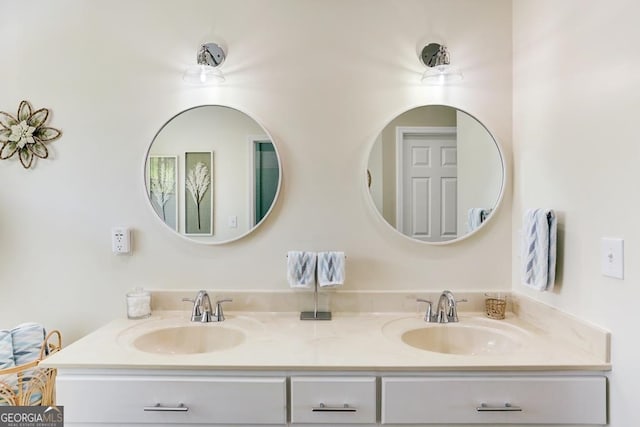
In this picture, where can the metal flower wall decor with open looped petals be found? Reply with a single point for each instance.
(26, 134)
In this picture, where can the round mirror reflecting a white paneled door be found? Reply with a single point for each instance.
(435, 174)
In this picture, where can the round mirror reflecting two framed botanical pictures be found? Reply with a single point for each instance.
(212, 174)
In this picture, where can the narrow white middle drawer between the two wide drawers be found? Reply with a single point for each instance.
(333, 400)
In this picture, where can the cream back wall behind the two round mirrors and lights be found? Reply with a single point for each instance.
(322, 77)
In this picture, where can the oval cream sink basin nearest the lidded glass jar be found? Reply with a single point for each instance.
(189, 339)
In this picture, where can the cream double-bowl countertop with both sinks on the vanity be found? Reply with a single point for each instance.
(350, 341)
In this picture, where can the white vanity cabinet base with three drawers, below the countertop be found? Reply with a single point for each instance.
(146, 397)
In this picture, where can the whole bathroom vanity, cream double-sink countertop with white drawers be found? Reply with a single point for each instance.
(266, 368)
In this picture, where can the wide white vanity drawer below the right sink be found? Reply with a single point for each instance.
(491, 400)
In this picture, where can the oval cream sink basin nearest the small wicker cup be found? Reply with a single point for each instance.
(461, 339)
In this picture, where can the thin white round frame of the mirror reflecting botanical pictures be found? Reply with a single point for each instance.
(190, 237)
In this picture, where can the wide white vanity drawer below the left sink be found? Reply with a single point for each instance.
(133, 399)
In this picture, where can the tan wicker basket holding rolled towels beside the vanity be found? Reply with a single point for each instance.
(29, 385)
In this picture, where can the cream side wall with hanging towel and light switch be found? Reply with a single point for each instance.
(576, 150)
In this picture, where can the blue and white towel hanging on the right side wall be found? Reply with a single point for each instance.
(539, 230)
